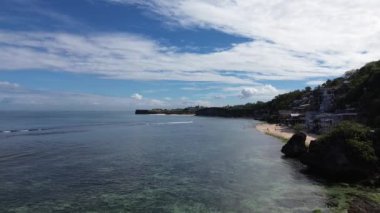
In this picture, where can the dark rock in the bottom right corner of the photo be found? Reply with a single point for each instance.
(363, 205)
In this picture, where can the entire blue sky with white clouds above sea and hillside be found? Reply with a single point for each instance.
(129, 54)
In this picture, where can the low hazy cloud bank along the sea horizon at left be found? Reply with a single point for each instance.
(16, 97)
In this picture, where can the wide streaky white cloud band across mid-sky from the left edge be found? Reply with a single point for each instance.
(118, 56)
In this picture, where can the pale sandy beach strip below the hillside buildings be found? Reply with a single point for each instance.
(281, 132)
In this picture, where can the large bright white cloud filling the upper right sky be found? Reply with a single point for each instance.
(292, 39)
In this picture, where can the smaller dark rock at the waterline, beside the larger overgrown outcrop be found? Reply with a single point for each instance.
(295, 147)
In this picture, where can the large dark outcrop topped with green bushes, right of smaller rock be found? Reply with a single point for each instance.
(346, 152)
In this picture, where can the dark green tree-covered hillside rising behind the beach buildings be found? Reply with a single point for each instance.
(358, 90)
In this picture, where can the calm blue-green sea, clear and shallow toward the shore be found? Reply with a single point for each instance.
(119, 162)
